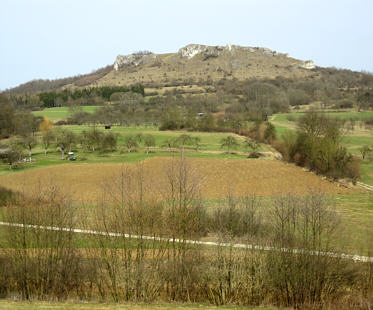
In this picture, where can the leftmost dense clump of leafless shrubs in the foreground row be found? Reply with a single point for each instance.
(42, 263)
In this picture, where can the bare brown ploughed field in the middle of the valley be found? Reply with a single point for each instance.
(214, 178)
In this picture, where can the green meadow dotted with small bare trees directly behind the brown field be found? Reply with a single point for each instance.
(210, 147)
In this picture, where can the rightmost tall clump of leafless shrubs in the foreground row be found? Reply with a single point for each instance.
(308, 276)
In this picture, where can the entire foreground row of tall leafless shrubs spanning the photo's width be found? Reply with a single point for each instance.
(60, 264)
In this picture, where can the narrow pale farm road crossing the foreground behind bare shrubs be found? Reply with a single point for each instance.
(355, 258)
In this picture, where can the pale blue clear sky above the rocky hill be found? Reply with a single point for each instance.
(48, 39)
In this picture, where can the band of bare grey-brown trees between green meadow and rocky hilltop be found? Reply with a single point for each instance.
(227, 105)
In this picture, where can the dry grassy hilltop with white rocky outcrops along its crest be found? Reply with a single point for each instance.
(192, 64)
